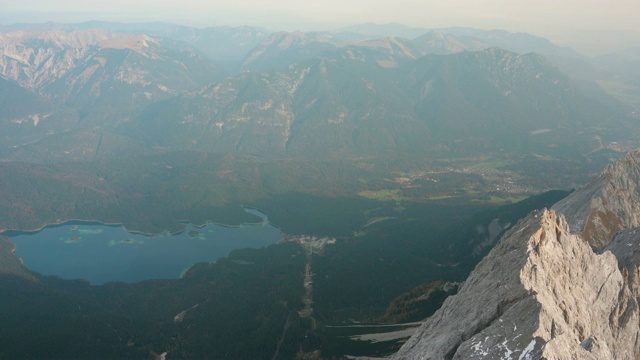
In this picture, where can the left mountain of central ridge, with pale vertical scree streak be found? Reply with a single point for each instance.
(315, 107)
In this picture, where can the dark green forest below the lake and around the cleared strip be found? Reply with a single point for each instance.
(247, 305)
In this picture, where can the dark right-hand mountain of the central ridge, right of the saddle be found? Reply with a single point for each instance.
(499, 99)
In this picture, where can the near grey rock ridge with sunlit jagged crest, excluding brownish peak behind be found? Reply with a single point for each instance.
(542, 292)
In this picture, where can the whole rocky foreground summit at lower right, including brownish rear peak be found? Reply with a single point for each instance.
(561, 284)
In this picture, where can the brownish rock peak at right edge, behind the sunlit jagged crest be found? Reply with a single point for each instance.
(607, 205)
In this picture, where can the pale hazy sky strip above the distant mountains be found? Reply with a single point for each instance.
(542, 17)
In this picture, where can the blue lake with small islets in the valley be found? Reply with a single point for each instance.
(103, 253)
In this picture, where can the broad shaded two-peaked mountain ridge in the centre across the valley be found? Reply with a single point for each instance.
(492, 100)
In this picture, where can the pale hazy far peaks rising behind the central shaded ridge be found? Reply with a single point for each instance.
(284, 48)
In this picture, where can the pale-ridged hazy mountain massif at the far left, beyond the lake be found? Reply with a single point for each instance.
(101, 74)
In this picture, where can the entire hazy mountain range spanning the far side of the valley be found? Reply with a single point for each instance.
(159, 86)
